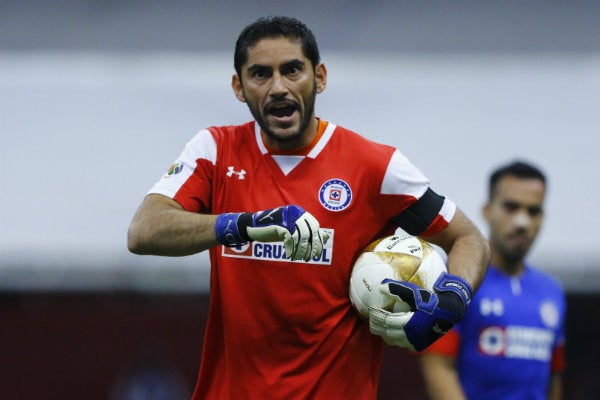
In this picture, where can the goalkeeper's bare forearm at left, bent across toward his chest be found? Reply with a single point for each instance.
(160, 228)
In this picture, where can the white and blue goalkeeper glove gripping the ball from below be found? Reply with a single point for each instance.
(432, 313)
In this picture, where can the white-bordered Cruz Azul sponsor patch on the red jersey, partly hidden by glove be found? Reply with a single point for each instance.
(274, 251)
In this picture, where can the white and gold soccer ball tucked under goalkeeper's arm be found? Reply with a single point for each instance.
(400, 257)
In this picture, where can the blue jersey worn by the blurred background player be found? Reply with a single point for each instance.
(512, 330)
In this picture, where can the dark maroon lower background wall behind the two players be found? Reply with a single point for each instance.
(58, 346)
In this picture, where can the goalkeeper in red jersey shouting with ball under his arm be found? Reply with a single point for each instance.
(285, 203)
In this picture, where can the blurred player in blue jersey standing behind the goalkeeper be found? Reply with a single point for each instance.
(510, 344)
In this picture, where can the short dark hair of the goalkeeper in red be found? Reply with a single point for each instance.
(274, 27)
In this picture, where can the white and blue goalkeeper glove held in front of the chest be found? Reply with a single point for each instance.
(297, 229)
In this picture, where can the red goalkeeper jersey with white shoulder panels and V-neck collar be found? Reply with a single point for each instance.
(279, 329)
